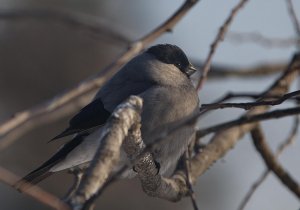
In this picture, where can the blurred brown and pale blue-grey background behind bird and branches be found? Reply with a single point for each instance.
(41, 58)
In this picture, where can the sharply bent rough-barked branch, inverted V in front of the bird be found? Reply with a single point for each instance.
(123, 128)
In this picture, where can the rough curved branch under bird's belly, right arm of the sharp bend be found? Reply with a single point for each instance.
(153, 183)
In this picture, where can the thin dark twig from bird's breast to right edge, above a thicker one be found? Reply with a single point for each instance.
(250, 105)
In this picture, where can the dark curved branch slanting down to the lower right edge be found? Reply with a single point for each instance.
(271, 161)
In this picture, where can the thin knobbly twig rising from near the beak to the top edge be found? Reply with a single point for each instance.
(220, 37)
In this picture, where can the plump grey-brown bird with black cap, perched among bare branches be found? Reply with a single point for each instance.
(161, 77)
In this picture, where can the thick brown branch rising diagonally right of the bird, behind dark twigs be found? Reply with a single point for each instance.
(223, 141)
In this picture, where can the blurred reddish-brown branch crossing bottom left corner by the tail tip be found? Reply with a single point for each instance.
(35, 192)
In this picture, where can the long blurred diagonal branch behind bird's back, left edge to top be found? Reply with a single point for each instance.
(63, 104)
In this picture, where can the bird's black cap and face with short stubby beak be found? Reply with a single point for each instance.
(171, 54)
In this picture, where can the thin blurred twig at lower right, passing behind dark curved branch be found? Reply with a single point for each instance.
(291, 138)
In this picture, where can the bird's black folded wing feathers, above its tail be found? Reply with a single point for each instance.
(92, 115)
